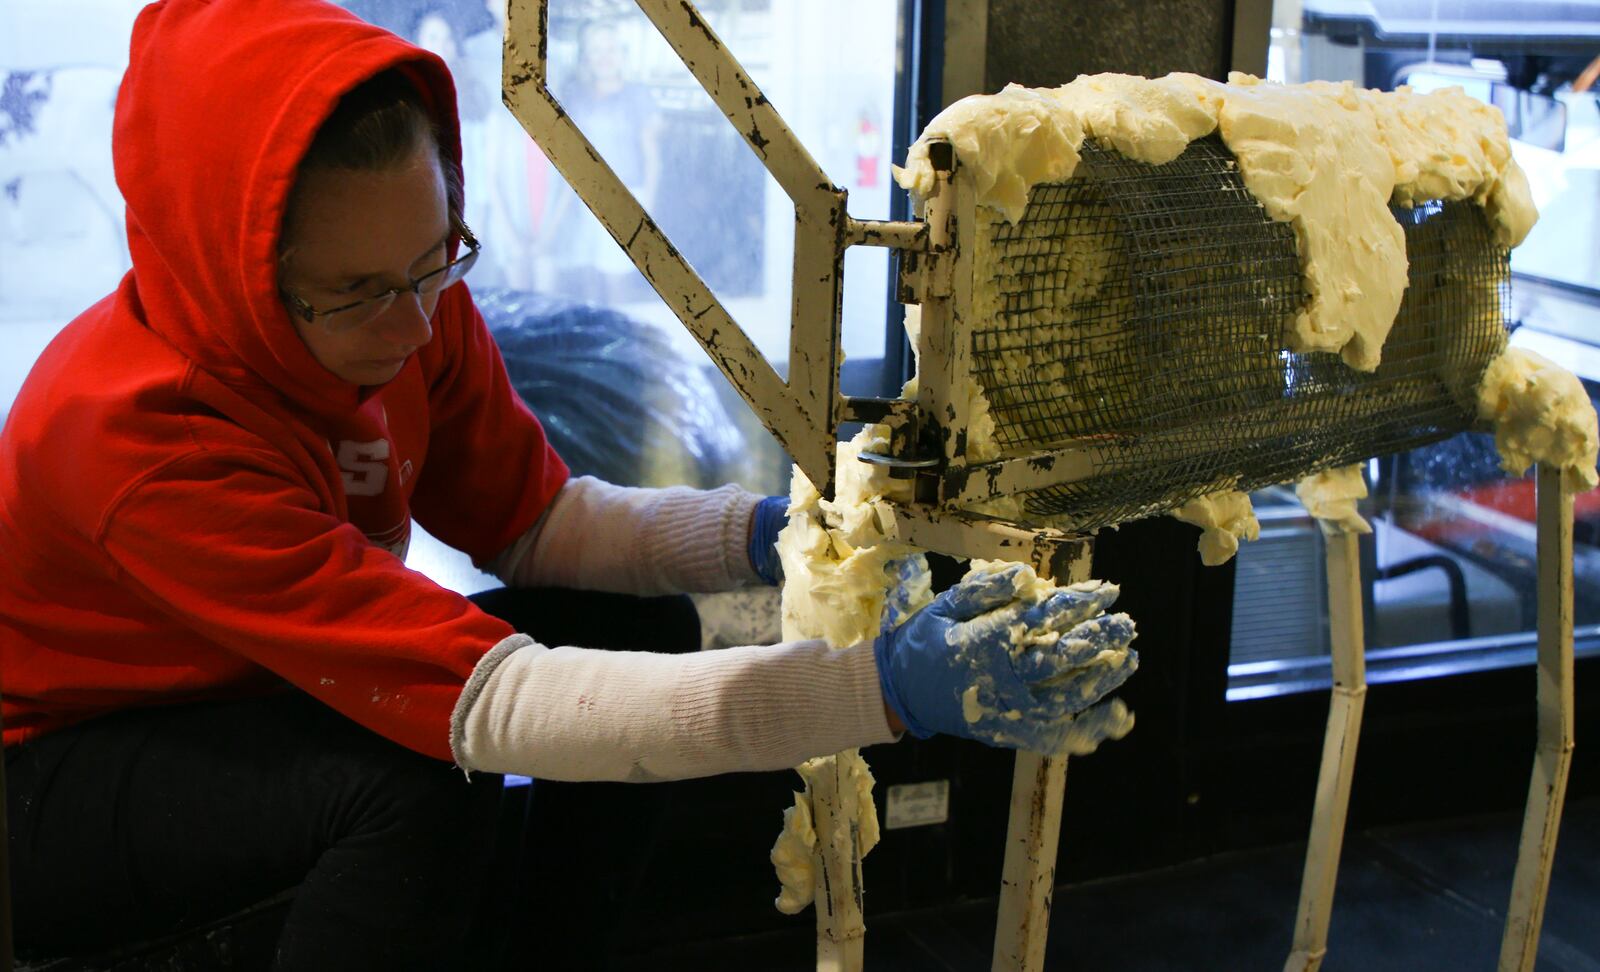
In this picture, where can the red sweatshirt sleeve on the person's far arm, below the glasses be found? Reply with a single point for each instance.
(490, 472)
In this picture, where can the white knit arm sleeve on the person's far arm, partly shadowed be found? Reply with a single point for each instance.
(638, 541)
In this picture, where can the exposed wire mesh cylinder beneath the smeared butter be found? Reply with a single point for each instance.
(1140, 313)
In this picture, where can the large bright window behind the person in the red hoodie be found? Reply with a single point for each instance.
(623, 388)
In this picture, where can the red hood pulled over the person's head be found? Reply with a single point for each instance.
(220, 105)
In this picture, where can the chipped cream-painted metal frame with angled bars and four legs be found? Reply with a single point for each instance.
(806, 412)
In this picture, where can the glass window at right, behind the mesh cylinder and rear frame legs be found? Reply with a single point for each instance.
(1449, 572)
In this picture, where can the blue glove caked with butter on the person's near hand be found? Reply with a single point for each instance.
(990, 664)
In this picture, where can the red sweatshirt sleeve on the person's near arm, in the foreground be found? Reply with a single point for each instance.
(234, 549)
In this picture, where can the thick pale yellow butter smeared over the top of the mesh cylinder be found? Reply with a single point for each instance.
(1326, 157)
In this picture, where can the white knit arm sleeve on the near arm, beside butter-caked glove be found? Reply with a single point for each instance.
(575, 714)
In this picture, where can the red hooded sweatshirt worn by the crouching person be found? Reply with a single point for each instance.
(191, 506)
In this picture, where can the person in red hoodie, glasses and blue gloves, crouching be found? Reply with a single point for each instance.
(222, 682)
